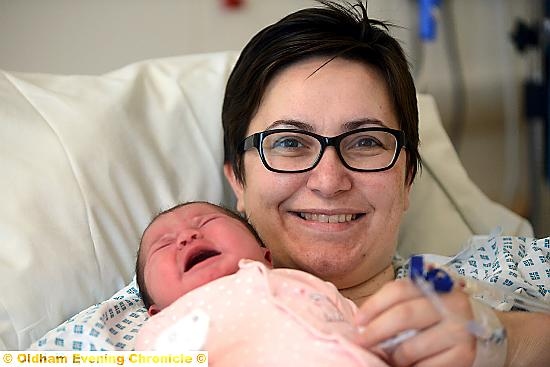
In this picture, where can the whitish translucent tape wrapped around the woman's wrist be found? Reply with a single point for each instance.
(491, 347)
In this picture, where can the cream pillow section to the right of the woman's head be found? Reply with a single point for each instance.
(447, 208)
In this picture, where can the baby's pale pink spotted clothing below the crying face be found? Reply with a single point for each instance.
(261, 317)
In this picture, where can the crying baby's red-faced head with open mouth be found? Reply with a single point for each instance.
(190, 245)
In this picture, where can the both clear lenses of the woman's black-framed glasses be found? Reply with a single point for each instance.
(294, 151)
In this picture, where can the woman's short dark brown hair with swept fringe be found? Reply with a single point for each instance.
(333, 30)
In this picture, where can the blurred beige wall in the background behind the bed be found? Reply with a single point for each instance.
(95, 36)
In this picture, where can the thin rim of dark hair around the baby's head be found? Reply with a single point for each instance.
(140, 277)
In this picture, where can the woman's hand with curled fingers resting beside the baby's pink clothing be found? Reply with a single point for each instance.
(440, 340)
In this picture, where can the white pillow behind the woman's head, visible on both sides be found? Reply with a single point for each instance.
(87, 161)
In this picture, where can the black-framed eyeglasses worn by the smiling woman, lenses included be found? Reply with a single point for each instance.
(368, 149)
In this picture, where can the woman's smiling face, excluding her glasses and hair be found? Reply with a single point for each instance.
(296, 213)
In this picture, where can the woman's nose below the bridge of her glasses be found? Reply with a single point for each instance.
(329, 177)
